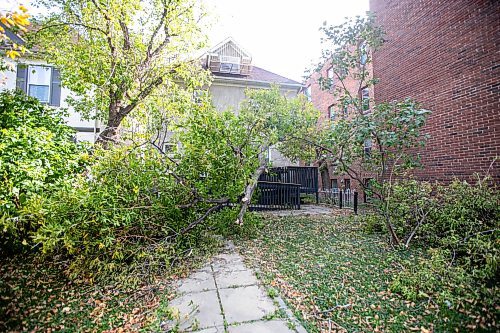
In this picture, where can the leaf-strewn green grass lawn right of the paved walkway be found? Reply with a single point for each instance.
(336, 277)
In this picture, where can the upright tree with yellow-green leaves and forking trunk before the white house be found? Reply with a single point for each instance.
(121, 56)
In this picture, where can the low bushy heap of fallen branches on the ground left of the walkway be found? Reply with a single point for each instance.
(125, 216)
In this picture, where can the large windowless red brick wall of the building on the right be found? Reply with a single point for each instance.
(445, 54)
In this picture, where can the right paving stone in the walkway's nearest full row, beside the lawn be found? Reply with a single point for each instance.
(245, 304)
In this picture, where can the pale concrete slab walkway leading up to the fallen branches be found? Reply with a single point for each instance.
(225, 296)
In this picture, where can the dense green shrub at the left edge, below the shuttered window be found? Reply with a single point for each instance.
(37, 151)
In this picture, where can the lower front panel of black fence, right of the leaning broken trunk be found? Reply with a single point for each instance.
(276, 196)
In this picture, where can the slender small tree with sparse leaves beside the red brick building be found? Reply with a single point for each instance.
(366, 139)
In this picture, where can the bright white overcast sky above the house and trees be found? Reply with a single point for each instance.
(281, 35)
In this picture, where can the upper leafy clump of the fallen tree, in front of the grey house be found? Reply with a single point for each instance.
(221, 150)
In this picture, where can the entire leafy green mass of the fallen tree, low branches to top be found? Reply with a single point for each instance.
(137, 210)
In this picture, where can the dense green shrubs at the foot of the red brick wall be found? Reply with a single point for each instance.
(459, 225)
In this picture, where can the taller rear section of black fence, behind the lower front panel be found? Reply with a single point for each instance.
(306, 177)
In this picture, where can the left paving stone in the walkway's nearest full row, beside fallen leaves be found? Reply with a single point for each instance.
(199, 310)
